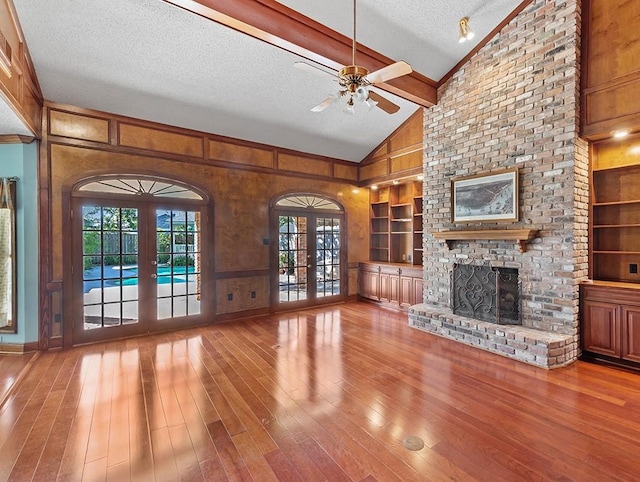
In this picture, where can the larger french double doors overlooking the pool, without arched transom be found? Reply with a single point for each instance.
(138, 267)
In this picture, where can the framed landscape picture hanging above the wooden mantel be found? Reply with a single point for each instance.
(491, 197)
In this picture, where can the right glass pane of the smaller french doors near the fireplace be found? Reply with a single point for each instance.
(327, 257)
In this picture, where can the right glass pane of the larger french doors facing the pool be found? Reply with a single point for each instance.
(178, 263)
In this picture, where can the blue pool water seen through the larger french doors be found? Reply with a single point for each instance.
(128, 276)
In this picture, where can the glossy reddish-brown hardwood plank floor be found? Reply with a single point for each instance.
(323, 394)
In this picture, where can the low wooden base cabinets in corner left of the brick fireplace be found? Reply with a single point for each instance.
(393, 284)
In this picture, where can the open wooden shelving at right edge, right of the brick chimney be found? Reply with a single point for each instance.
(615, 211)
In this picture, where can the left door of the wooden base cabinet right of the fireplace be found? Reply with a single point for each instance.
(601, 328)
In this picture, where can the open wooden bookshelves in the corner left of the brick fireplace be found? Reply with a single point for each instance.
(396, 223)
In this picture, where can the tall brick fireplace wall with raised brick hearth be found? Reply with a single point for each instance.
(513, 104)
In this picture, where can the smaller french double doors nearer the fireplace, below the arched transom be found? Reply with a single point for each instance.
(309, 259)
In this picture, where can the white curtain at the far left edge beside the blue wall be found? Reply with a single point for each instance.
(6, 244)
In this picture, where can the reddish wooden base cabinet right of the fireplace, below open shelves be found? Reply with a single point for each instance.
(611, 320)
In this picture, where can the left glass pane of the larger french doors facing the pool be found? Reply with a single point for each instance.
(110, 261)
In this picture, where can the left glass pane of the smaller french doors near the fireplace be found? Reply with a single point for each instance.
(293, 258)
